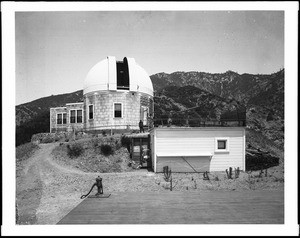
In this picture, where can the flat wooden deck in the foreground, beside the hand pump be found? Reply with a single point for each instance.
(172, 207)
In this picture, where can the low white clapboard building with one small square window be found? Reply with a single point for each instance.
(197, 149)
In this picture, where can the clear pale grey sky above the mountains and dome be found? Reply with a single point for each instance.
(55, 50)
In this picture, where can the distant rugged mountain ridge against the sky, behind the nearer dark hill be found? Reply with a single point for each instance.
(246, 88)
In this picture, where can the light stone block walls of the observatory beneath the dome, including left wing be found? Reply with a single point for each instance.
(104, 118)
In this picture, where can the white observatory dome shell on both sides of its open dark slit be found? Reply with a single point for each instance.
(103, 77)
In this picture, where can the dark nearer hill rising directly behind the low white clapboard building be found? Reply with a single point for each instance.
(175, 102)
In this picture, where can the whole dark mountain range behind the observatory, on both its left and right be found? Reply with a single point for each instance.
(188, 94)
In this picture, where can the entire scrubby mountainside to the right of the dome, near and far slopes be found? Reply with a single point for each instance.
(262, 95)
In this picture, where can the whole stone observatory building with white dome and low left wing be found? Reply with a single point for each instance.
(116, 96)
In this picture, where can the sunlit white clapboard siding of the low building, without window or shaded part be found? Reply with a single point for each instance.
(199, 140)
